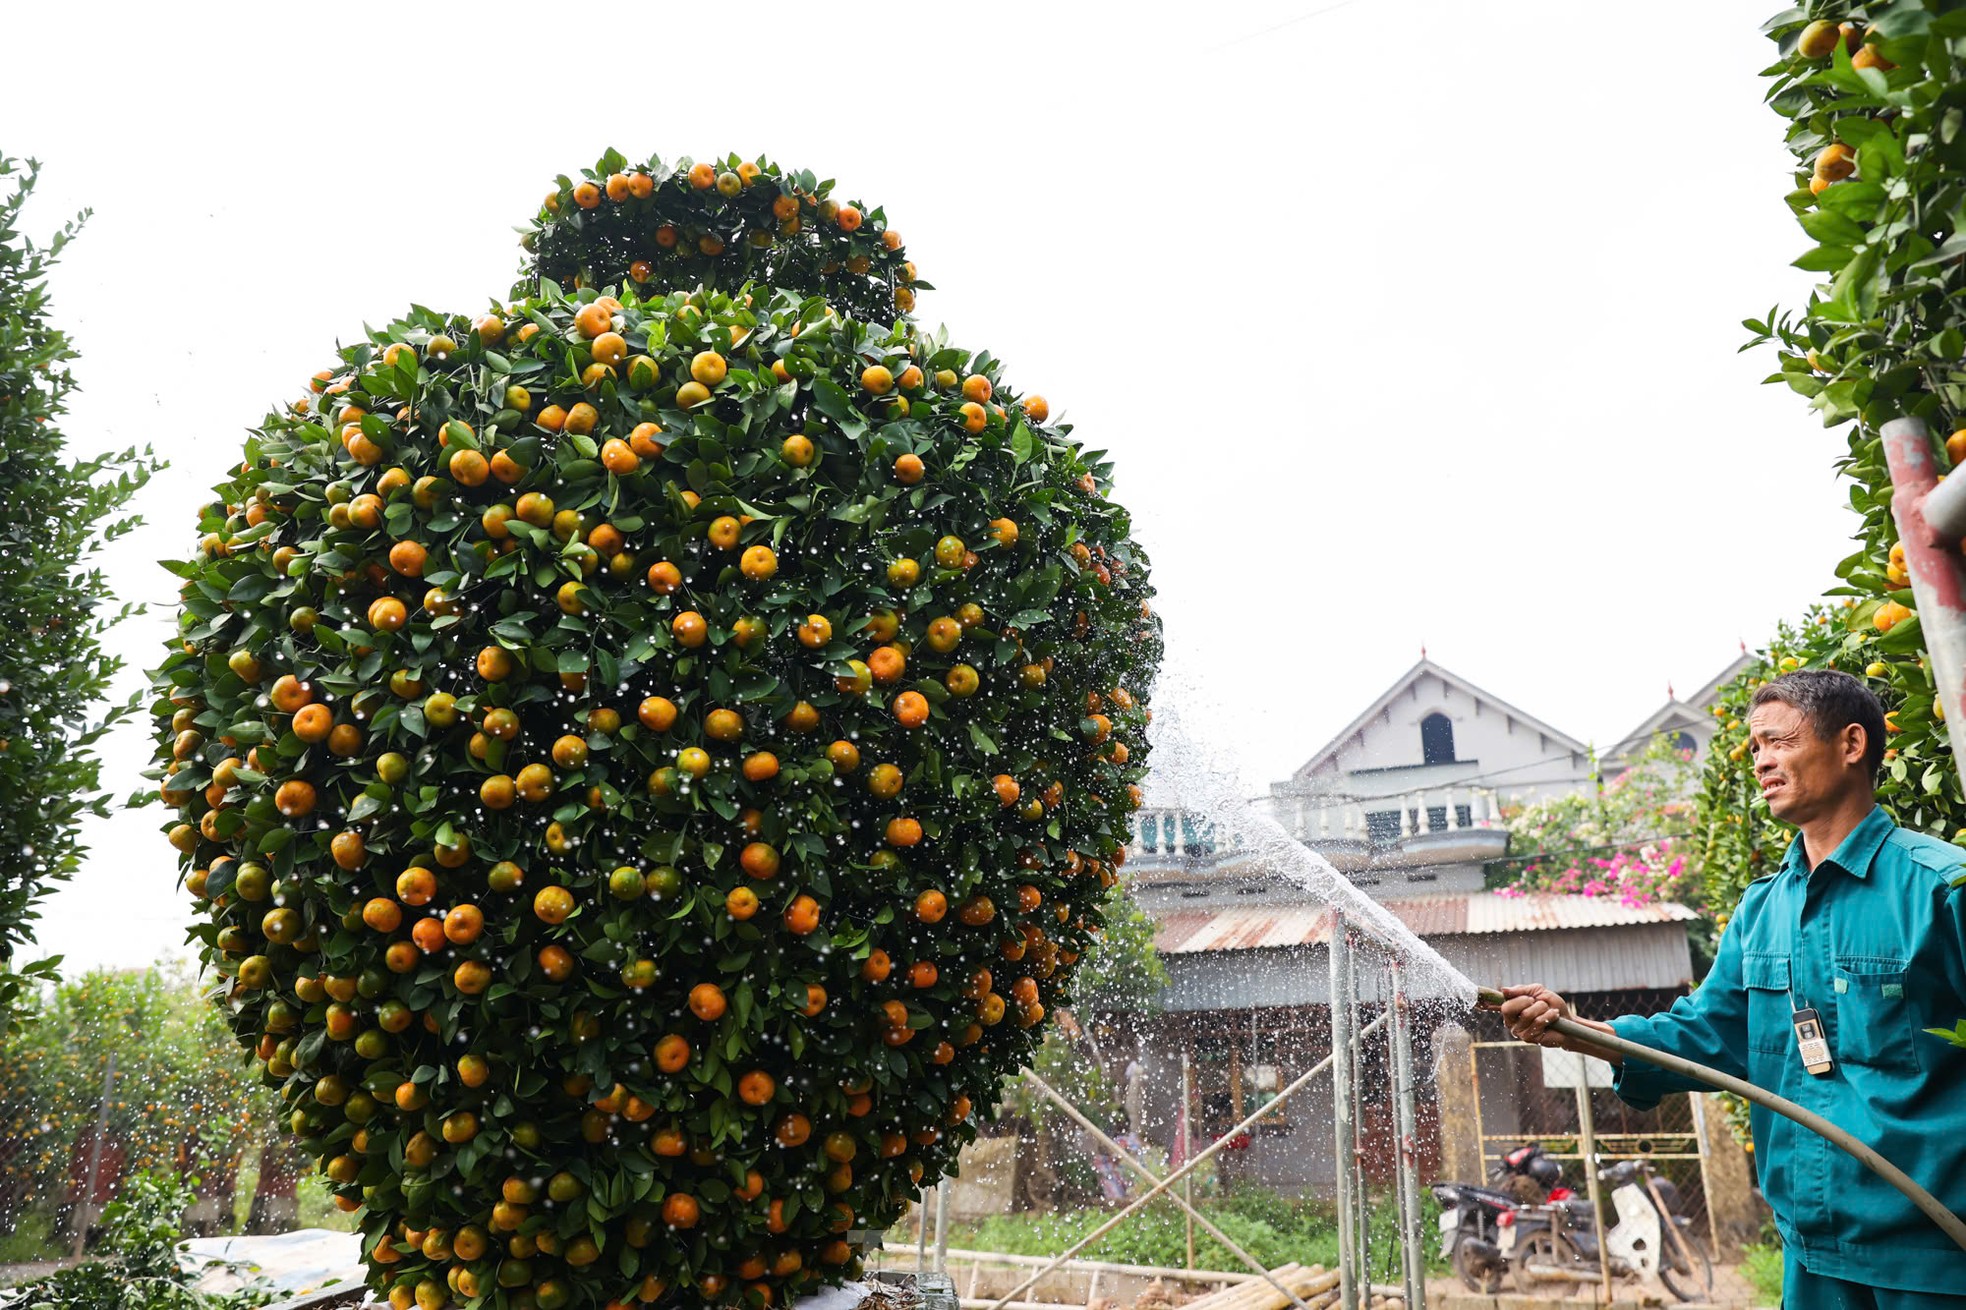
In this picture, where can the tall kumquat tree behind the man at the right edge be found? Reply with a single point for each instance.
(1875, 99)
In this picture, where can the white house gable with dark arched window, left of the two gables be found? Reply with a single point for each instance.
(1485, 729)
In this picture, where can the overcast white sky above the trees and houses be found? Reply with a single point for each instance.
(1405, 326)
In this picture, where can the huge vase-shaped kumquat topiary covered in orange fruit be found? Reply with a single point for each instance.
(650, 756)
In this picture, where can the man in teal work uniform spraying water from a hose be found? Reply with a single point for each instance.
(1865, 923)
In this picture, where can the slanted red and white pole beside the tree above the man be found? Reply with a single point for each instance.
(1932, 522)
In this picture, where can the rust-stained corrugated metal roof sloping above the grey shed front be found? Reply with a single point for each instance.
(1474, 914)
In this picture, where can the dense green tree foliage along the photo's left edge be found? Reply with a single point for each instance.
(54, 672)
